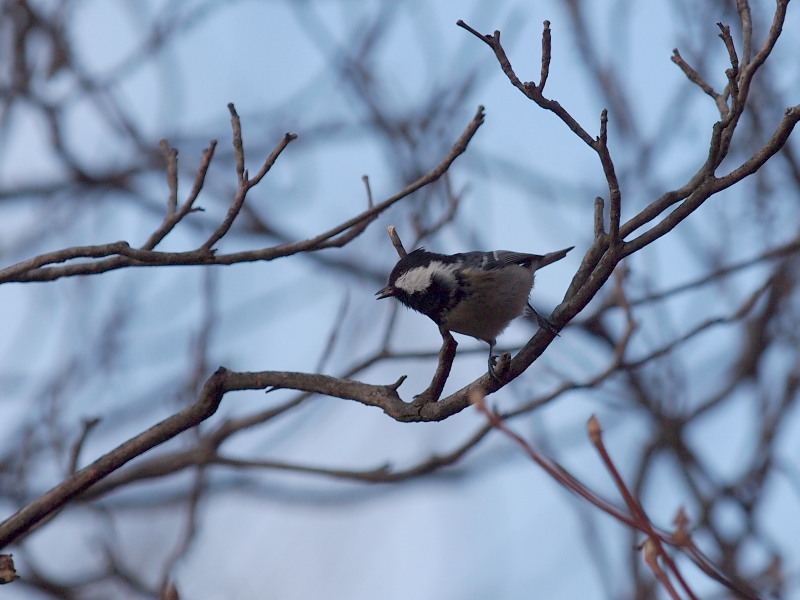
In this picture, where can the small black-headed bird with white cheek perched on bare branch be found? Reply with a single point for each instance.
(474, 293)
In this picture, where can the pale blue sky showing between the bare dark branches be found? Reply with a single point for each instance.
(494, 526)
